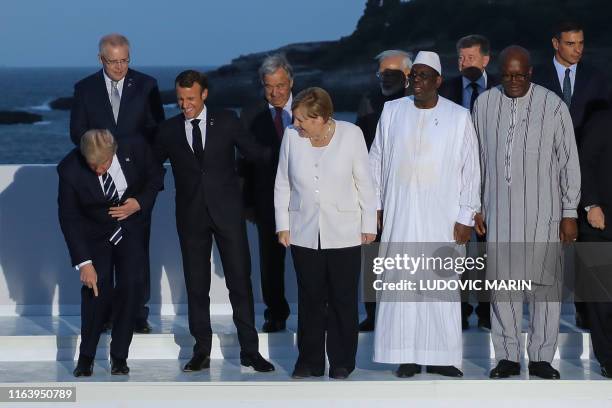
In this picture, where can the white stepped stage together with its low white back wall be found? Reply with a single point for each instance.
(39, 327)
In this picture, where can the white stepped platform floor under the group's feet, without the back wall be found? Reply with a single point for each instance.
(40, 350)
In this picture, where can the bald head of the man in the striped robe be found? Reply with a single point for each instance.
(515, 69)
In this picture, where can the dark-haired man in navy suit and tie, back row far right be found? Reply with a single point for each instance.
(583, 87)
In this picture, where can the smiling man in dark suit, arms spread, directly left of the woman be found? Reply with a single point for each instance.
(201, 147)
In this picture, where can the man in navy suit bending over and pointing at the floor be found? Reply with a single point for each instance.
(105, 195)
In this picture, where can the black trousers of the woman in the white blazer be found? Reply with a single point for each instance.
(328, 286)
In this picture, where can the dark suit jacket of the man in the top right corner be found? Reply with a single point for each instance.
(591, 91)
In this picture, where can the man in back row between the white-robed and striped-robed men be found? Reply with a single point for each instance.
(473, 56)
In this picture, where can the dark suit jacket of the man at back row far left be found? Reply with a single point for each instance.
(139, 113)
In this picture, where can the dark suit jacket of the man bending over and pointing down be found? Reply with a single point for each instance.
(83, 209)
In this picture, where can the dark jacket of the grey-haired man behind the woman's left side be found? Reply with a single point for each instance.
(259, 177)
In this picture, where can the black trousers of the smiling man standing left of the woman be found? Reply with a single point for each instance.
(196, 245)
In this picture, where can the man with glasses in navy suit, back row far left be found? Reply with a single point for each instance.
(127, 103)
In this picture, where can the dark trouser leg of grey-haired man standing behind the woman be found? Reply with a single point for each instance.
(271, 263)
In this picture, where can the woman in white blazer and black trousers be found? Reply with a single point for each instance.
(325, 208)
